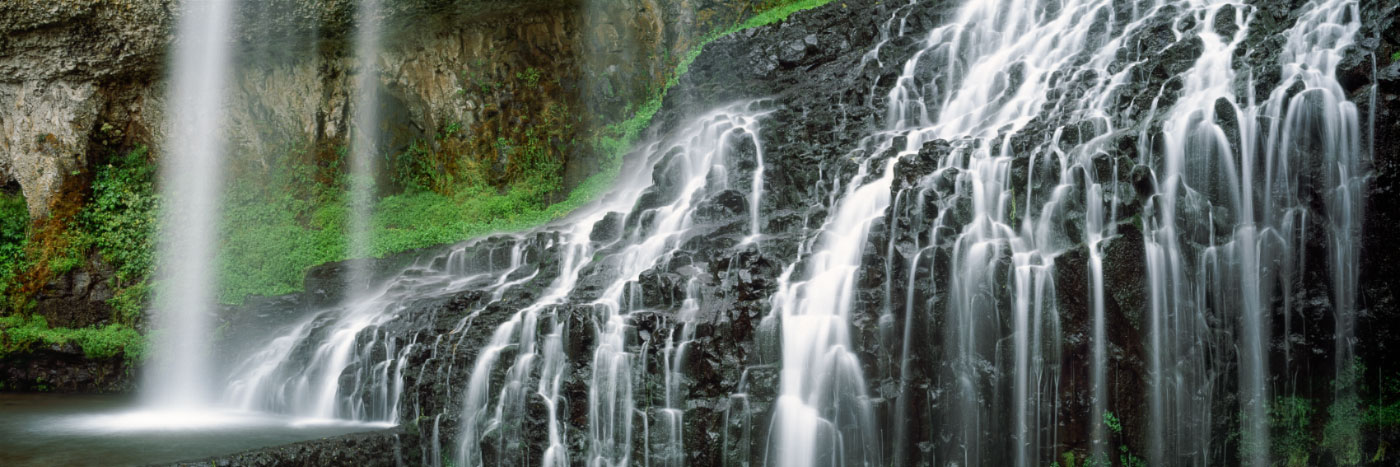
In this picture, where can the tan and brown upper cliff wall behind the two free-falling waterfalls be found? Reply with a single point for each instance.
(80, 79)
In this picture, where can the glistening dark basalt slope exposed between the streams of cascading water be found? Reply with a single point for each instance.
(822, 92)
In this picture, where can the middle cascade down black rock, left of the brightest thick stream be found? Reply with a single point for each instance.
(689, 170)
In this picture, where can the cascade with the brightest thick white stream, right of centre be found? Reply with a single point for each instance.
(999, 62)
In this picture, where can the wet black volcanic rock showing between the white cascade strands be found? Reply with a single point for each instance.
(824, 96)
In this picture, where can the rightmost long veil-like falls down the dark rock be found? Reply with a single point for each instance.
(1230, 156)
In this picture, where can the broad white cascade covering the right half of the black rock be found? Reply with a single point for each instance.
(1003, 66)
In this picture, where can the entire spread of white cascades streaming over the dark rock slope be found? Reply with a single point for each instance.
(1014, 156)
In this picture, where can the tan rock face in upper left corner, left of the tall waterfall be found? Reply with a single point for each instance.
(64, 68)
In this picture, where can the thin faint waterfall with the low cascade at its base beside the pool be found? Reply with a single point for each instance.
(285, 377)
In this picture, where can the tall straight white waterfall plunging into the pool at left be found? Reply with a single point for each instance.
(180, 373)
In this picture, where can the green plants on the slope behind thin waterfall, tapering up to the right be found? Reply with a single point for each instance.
(282, 223)
